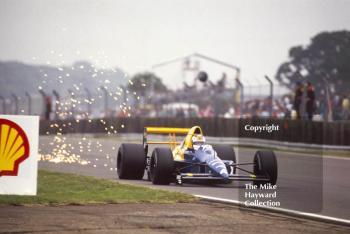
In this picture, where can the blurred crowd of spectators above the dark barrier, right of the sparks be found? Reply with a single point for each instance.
(304, 103)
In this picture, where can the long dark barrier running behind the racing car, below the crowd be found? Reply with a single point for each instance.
(302, 131)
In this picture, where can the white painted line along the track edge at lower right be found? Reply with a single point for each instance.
(280, 210)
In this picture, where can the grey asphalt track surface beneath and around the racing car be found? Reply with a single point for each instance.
(308, 183)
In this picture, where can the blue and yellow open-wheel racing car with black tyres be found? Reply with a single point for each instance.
(190, 160)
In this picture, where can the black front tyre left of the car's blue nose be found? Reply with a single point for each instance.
(161, 166)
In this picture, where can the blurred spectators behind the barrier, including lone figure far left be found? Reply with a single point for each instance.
(218, 101)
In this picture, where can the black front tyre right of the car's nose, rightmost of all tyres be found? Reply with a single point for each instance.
(265, 165)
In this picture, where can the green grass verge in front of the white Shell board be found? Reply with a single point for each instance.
(61, 188)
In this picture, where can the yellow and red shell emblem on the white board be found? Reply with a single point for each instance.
(14, 147)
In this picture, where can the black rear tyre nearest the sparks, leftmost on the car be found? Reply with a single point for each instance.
(131, 161)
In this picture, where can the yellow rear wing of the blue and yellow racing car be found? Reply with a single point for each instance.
(172, 132)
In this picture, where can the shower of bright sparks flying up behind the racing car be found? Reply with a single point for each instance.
(74, 107)
